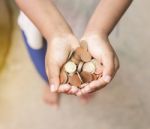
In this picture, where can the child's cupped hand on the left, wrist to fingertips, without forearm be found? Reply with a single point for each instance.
(58, 50)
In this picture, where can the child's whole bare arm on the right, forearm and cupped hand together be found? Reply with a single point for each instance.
(102, 22)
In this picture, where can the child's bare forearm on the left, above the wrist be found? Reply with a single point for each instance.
(45, 16)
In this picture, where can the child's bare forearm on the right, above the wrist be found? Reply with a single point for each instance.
(106, 16)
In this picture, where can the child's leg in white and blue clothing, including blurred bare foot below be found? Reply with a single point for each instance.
(36, 47)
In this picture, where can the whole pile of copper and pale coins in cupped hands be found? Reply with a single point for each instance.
(80, 67)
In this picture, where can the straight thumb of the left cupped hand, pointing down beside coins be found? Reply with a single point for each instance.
(53, 76)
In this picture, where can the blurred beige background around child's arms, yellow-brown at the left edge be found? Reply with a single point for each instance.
(124, 104)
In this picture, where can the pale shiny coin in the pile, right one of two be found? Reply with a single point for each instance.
(89, 67)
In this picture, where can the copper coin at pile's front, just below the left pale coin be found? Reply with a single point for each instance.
(74, 80)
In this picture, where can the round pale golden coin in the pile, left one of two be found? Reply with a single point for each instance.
(70, 67)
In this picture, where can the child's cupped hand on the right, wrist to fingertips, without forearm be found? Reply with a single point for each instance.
(101, 49)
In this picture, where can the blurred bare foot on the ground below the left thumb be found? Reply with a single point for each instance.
(50, 98)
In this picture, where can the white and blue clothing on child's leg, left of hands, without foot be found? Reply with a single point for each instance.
(34, 42)
